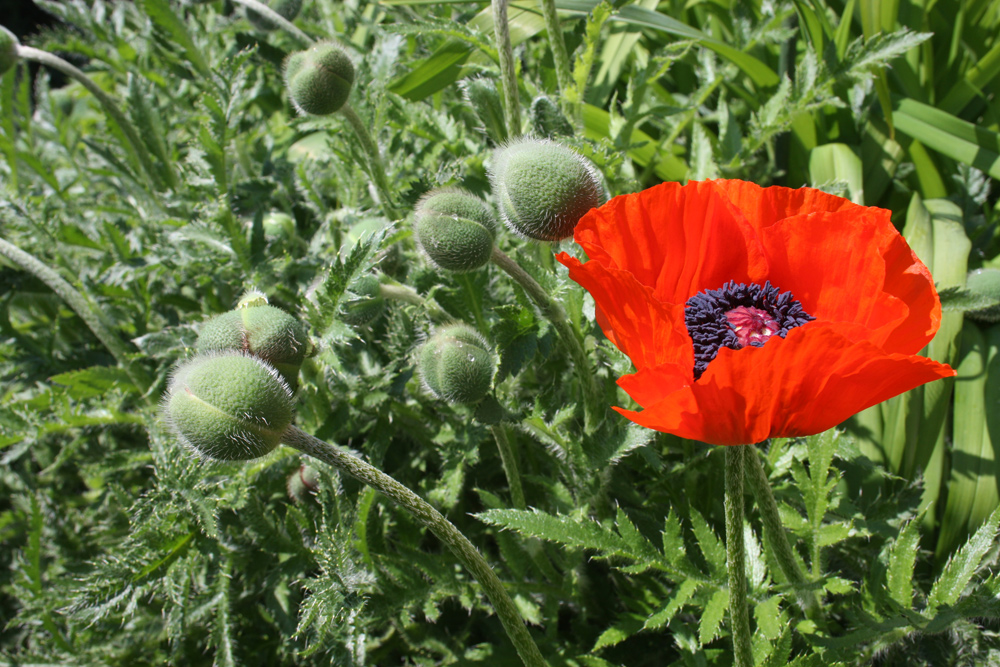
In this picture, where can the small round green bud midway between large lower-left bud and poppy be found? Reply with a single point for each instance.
(457, 364)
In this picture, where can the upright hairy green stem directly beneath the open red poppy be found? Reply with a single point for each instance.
(736, 556)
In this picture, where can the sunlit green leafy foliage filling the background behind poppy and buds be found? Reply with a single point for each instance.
(121, 549)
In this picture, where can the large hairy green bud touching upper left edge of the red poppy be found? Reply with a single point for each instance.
(543, 188)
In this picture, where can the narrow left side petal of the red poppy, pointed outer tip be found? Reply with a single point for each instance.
(648, 331)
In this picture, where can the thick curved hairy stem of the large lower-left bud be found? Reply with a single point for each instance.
(436, 523)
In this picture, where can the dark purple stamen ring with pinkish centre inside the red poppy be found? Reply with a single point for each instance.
(739, 315)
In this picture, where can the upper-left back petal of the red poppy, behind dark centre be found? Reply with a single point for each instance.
(676, 240)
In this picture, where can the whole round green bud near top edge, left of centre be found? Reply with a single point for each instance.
(319, 79)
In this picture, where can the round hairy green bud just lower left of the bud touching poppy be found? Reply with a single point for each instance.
(455, 229)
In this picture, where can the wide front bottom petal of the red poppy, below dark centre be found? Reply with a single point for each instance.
(808, 382)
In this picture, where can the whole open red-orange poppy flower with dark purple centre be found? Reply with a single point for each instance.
(756, 312)
